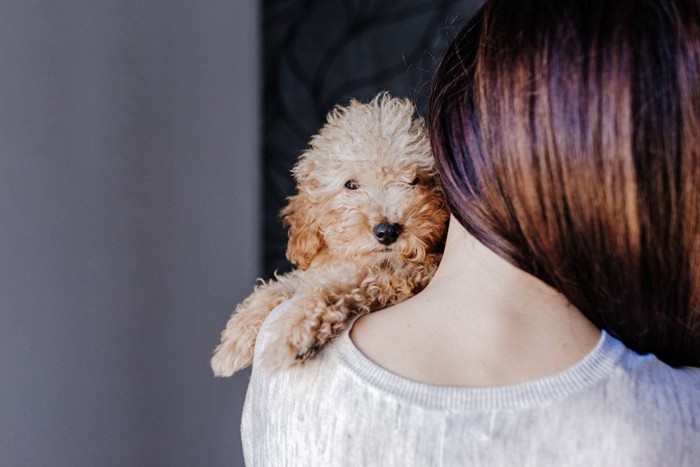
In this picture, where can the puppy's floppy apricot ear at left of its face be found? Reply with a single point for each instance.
(305, 239)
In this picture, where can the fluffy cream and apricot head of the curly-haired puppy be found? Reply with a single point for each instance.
(366, 188)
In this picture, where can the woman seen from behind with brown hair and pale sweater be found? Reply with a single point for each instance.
(564, 319)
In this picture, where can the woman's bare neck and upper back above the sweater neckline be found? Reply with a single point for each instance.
(480, 322)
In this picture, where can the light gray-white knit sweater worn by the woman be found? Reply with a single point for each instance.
(614, 408)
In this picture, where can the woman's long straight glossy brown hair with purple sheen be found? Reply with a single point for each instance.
(567, 137)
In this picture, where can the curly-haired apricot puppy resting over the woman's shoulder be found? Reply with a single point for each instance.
(366, 230)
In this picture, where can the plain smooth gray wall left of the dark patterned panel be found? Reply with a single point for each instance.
(128, 227)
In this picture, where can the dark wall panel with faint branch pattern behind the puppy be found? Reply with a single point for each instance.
(321, 53)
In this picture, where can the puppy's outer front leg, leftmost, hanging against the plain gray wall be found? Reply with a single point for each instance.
(235, 351)
